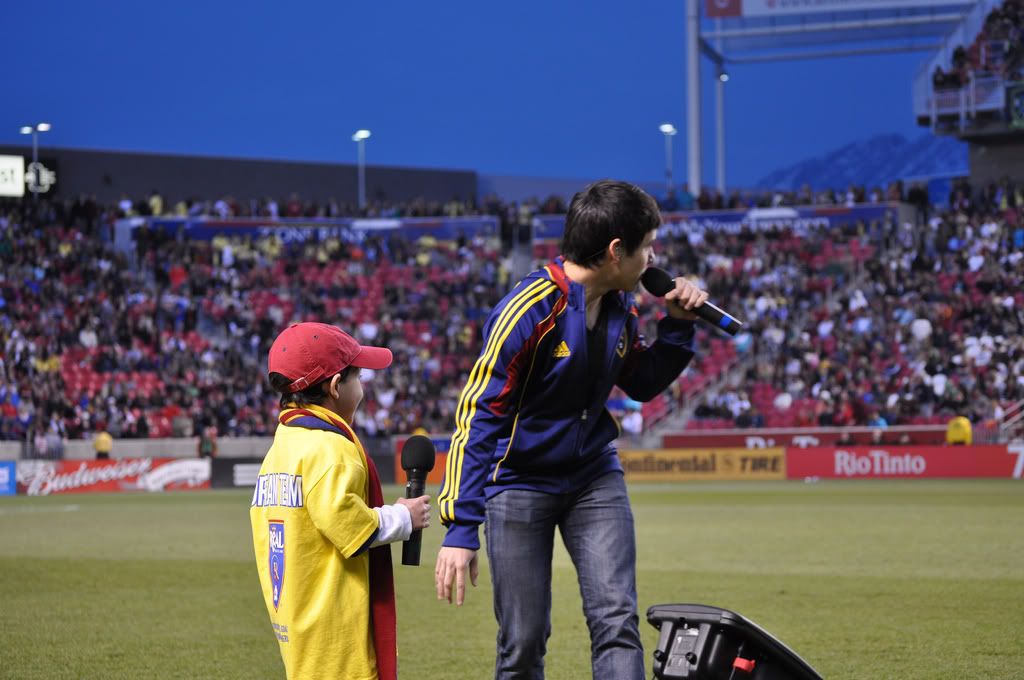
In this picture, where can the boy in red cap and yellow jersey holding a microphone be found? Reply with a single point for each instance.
(321, 530)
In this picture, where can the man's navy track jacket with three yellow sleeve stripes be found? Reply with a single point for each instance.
(532, 415)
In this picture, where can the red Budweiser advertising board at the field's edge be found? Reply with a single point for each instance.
(125, 475)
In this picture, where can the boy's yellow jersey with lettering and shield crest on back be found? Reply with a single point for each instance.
(310, 519)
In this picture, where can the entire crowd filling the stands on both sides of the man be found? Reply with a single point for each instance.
(169, 338)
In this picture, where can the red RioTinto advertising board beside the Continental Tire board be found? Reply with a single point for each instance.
(906, 462)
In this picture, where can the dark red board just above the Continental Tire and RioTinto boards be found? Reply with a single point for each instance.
(805, 438)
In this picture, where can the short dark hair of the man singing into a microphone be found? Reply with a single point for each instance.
(603, 212)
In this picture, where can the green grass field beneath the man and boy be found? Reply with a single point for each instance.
(865, 580)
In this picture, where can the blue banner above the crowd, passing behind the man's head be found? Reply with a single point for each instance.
(799, 220)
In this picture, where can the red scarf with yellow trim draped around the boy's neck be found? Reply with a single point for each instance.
(382, 612)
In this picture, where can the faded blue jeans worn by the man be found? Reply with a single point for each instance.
(596, 525)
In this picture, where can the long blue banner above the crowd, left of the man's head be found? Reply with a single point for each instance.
(302, 231)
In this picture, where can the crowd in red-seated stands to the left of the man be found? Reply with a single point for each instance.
(170, 339)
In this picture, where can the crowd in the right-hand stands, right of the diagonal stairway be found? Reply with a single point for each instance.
(931, 330)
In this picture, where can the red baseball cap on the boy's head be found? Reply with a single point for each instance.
(310, 353)
